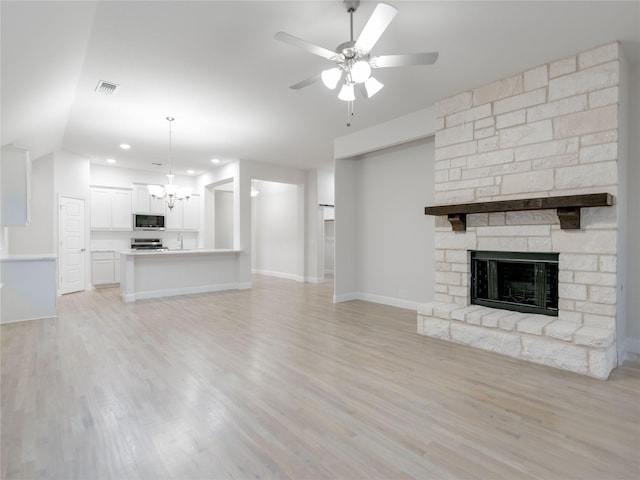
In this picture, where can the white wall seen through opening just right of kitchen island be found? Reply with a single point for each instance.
(275, 231)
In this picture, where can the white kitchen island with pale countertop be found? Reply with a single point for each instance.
(165, 273)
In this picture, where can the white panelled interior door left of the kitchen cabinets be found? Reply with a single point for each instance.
(72, 245)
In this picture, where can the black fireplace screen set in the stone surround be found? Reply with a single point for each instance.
(524, 282)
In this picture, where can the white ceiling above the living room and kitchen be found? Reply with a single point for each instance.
(215, 67)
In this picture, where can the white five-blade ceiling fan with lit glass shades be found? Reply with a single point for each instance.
(353, 59)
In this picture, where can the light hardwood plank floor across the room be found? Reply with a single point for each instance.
(278, 382)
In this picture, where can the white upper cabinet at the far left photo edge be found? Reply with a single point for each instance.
(15, 183)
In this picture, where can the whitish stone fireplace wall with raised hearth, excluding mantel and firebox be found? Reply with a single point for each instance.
(551, 130)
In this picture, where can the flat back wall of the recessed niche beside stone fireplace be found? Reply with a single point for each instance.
(395, 250)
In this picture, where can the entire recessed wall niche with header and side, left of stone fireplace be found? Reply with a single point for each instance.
(384, 242)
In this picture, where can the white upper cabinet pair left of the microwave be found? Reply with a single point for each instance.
(111, 209)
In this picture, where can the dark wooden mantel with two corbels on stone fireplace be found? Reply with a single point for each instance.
(567, 207)
